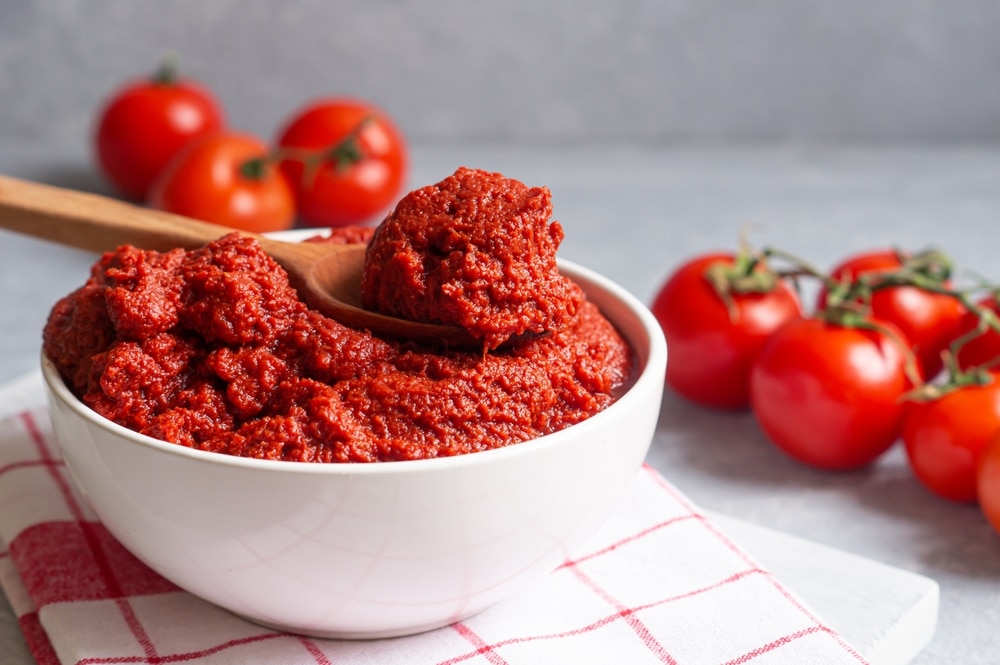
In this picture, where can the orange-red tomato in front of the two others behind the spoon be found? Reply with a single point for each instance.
(207, 181)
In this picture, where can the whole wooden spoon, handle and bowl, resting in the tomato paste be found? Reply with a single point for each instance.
(327, 277)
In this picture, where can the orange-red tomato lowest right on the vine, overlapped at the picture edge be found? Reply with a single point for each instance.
(945, 438)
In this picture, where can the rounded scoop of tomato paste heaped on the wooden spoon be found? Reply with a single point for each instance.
(476, 250)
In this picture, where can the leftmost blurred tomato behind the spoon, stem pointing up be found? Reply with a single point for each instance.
(146, 123)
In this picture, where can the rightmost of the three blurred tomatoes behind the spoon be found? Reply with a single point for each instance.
(353, 192)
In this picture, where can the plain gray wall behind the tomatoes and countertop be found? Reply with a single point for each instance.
(553, 71)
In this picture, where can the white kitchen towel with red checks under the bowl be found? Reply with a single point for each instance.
(659, 584)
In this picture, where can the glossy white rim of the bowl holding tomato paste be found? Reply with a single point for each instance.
(650, 354)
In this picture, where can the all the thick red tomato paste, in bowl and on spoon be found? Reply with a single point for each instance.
(213, 349)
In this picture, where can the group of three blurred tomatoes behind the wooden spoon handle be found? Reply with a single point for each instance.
(165, 141)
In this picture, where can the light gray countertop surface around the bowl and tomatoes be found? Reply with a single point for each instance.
(634, 214)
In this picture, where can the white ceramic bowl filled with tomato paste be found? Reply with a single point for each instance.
(368, 550)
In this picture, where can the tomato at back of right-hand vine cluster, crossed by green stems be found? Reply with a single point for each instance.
(928, 321)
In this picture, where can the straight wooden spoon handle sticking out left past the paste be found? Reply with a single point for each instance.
(93, 222)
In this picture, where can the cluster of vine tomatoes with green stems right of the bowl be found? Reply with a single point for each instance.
(890, 351)
